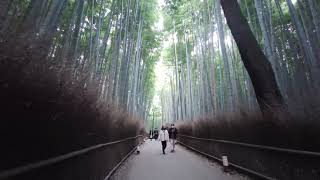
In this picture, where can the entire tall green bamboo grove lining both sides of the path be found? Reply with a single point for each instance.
(112, 43)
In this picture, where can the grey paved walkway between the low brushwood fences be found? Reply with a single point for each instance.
(151, 164)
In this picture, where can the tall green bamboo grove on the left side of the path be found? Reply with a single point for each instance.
(109, 43)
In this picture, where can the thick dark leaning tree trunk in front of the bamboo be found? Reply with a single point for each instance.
(256, 63)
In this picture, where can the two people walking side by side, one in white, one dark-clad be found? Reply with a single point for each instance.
(165, 136)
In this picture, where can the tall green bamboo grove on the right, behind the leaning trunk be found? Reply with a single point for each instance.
(211, 77)
